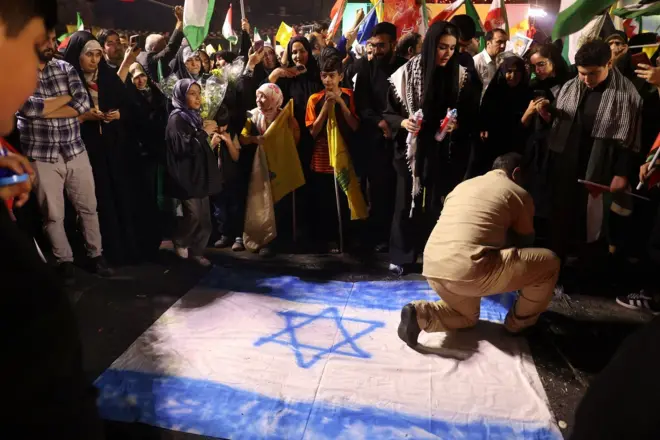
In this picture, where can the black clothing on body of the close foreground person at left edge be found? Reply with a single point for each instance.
(46, 394)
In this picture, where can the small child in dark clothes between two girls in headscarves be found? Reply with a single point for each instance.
(230, 204)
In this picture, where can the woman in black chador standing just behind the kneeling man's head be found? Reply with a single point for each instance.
(502, 108)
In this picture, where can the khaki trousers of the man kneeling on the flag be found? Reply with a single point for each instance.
(532, 271)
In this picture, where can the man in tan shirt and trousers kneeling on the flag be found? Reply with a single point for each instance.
(478, 249)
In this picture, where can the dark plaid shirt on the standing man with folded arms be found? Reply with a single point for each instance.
(45, 139)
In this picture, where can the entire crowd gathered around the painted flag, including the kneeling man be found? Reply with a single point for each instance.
(422, 145)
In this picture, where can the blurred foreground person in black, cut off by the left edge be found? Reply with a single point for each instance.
(39, 333)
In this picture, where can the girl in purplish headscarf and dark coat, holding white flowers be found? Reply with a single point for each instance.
(191, 169)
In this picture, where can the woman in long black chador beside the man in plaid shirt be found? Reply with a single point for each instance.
(103, 132)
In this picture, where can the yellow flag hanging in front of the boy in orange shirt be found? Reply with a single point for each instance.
(340, 159)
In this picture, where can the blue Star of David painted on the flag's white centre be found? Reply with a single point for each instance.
(345, 346)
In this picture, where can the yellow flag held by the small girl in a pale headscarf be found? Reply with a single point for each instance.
(282, 155)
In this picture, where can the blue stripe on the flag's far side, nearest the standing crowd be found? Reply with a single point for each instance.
(379, 295)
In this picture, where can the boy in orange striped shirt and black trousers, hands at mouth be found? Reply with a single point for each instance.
(332, 103)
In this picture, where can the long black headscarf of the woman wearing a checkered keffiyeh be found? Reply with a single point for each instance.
(441, 84)
